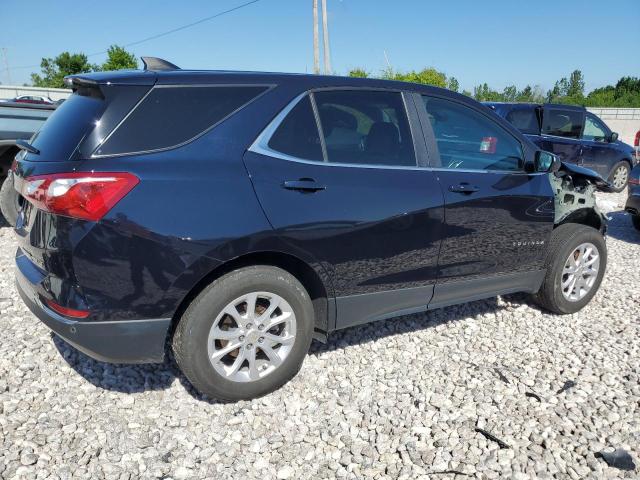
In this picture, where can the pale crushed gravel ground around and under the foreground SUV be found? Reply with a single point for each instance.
(398, 399)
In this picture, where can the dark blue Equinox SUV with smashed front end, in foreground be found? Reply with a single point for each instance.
(236, 216)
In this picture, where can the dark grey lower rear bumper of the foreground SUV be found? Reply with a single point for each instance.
(123, 341)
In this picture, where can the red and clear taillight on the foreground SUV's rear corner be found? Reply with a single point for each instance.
(85, 195)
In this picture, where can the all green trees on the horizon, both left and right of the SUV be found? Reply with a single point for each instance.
(571, 89)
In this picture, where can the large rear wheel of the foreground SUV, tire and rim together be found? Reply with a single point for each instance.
(246, 334)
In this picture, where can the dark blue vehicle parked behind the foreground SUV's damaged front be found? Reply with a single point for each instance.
(575, 135)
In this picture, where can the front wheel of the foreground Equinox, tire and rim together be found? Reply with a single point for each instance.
(575, 265)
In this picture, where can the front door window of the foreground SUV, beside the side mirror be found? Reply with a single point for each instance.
(467, 139)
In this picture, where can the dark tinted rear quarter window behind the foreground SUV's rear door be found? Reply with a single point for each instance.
(170, 116)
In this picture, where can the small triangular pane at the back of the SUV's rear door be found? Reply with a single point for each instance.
(297, 135)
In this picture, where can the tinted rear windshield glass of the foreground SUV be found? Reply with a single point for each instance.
(59, 136)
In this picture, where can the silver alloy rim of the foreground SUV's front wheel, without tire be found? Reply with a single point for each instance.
(580, 272)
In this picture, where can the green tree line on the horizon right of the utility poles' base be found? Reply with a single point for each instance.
(571, 90)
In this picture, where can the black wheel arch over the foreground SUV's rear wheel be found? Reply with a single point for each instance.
(321, 299)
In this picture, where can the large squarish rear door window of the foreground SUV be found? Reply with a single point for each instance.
(365, 127)
